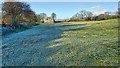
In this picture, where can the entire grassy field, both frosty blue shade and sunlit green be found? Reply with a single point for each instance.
(90, 43)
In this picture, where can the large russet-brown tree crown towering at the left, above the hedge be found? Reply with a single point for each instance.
(19, 11)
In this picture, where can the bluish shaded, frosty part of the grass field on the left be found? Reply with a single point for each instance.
(30, 47)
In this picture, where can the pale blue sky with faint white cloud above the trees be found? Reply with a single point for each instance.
(68, 9)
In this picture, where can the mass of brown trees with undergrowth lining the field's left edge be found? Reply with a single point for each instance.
(18, 14)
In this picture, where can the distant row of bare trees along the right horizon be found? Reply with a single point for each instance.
(88, 16)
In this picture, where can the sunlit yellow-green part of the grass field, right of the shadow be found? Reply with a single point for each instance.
(94, 45)
